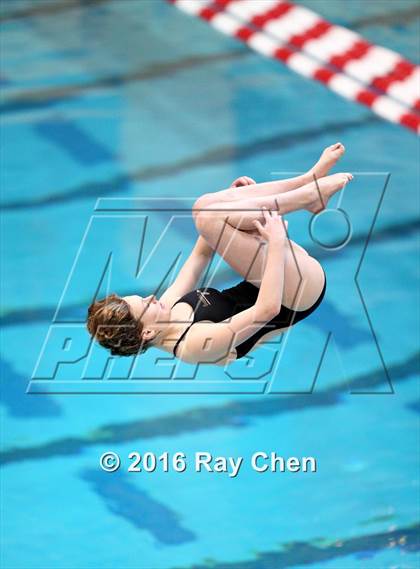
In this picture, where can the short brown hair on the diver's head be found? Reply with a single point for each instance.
(112, 324)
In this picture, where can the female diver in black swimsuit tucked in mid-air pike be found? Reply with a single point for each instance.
(282, 284)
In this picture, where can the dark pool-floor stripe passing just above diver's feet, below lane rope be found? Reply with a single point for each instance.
(215, 156)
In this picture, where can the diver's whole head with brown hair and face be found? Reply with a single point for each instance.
(127, 325)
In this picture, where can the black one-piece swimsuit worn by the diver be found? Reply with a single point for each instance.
(211, 304)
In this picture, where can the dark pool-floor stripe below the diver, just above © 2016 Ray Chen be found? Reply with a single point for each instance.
(229, 415)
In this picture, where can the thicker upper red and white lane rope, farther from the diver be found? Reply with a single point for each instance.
(339, 47)
